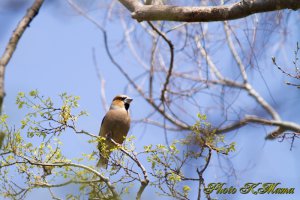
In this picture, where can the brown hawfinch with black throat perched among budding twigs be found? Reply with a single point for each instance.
(115, 125)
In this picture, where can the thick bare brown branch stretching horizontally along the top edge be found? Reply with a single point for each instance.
(237, 10)
